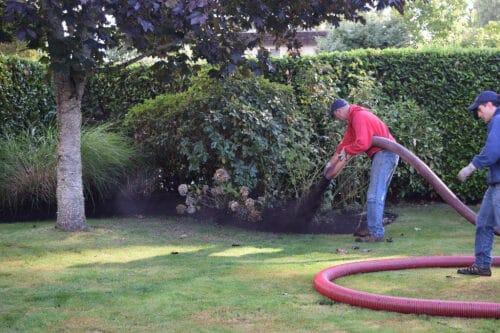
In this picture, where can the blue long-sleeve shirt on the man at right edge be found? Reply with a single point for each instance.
(490, 154)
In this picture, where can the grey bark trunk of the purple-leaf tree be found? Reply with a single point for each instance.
(70, 200)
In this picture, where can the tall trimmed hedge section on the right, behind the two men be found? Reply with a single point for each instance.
(442, 81)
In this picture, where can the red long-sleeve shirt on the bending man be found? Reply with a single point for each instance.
(362, 125)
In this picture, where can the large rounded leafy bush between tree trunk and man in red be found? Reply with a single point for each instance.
(245, 124)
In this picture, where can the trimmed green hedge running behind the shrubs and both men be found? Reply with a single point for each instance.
(442, 82)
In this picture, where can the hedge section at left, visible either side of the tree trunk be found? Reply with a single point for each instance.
(27, 99)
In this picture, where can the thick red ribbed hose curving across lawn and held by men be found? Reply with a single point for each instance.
(323, 281)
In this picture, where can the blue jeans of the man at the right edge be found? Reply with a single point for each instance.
(487, 219)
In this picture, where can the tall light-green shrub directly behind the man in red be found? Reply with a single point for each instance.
(316, 87)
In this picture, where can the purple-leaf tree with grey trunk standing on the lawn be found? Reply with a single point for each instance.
(75, 35)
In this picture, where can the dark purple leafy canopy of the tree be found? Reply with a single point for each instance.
(76, 33)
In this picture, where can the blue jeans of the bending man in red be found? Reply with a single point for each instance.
(383, 165)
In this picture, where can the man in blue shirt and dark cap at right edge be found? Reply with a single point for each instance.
(486, 107)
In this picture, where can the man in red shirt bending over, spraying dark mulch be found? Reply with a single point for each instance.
(362, 125)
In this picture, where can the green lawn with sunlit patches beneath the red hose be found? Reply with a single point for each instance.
(123, 275)
